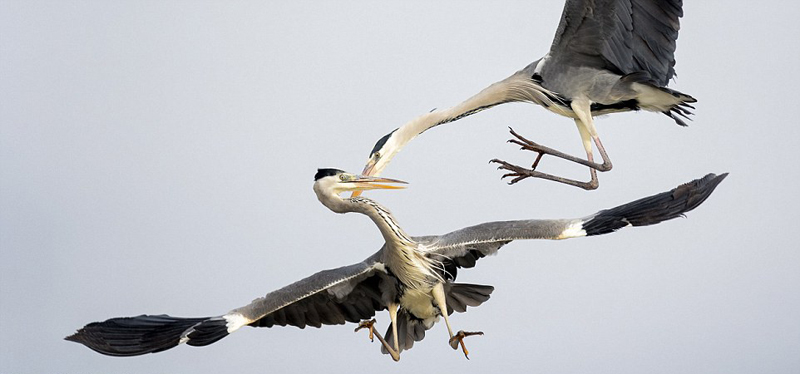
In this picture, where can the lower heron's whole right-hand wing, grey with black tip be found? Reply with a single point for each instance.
(464, 247)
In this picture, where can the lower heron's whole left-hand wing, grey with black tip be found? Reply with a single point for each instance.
(335, 296)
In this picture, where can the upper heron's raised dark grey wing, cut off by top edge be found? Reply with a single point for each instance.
(623, 36)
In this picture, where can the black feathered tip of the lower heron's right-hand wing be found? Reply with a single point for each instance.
(654, 209)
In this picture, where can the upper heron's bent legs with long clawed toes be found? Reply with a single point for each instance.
(588, 133)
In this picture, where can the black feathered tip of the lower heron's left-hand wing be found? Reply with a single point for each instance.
(133, 336)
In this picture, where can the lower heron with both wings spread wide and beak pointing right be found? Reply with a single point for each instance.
(410, 277)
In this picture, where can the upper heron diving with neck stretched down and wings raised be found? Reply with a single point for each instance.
(608, 56)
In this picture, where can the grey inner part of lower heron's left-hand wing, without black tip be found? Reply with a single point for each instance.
(330, 297)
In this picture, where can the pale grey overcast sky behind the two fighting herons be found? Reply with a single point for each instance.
(157, 157)
